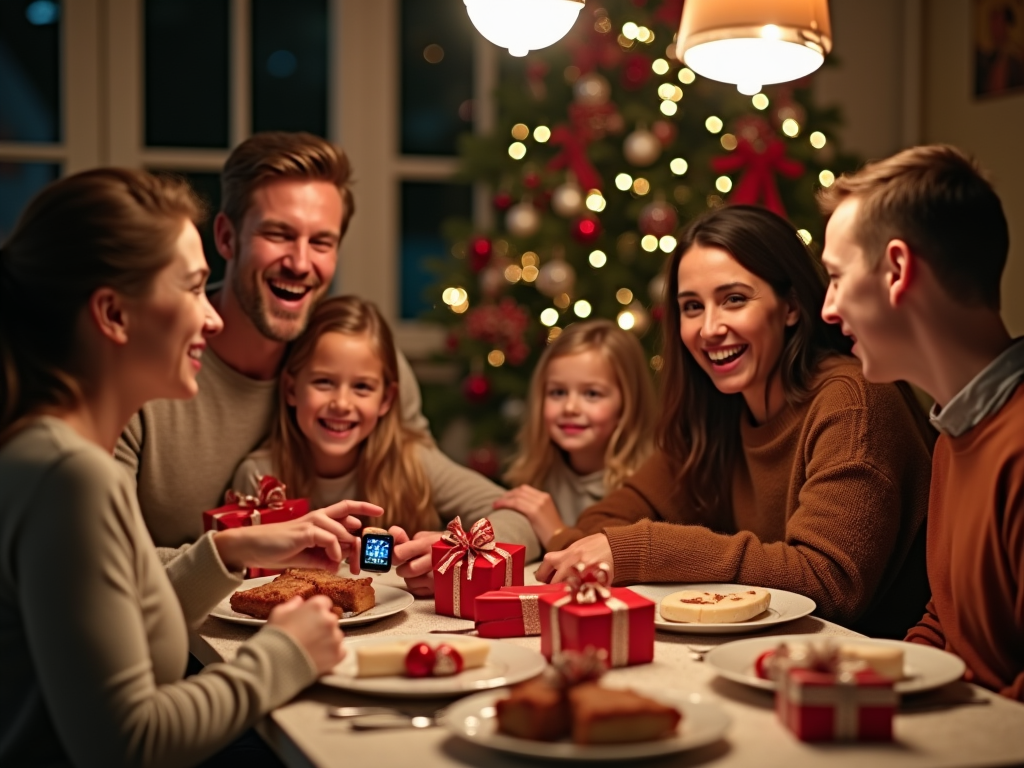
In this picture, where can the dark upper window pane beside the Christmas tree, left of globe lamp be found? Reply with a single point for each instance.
(437, 75)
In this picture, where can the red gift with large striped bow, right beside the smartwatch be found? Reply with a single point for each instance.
(466, 566)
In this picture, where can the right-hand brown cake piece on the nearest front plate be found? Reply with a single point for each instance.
(605, 716)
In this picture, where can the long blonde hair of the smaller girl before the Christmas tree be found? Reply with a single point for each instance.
(632, 442)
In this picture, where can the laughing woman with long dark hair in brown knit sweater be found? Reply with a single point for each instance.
(779, 464)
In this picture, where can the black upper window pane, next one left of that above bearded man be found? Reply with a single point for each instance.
(187, 73)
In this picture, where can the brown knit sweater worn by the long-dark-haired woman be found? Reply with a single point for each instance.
(829, 500)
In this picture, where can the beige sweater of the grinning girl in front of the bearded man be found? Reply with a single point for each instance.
(456, 491)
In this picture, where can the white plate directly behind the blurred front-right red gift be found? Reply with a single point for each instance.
(926, 668)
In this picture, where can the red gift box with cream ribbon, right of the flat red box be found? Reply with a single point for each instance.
(593, 615)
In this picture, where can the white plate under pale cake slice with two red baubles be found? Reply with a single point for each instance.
(507, 664)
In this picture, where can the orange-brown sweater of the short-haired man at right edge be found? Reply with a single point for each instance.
(976, 550)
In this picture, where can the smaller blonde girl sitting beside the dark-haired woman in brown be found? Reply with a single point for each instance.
(589, 425)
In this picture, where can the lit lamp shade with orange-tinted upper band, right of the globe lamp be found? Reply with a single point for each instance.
(754, 42)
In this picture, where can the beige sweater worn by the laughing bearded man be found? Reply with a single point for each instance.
(183, 454)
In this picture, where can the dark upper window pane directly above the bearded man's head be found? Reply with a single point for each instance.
(290, 66)
